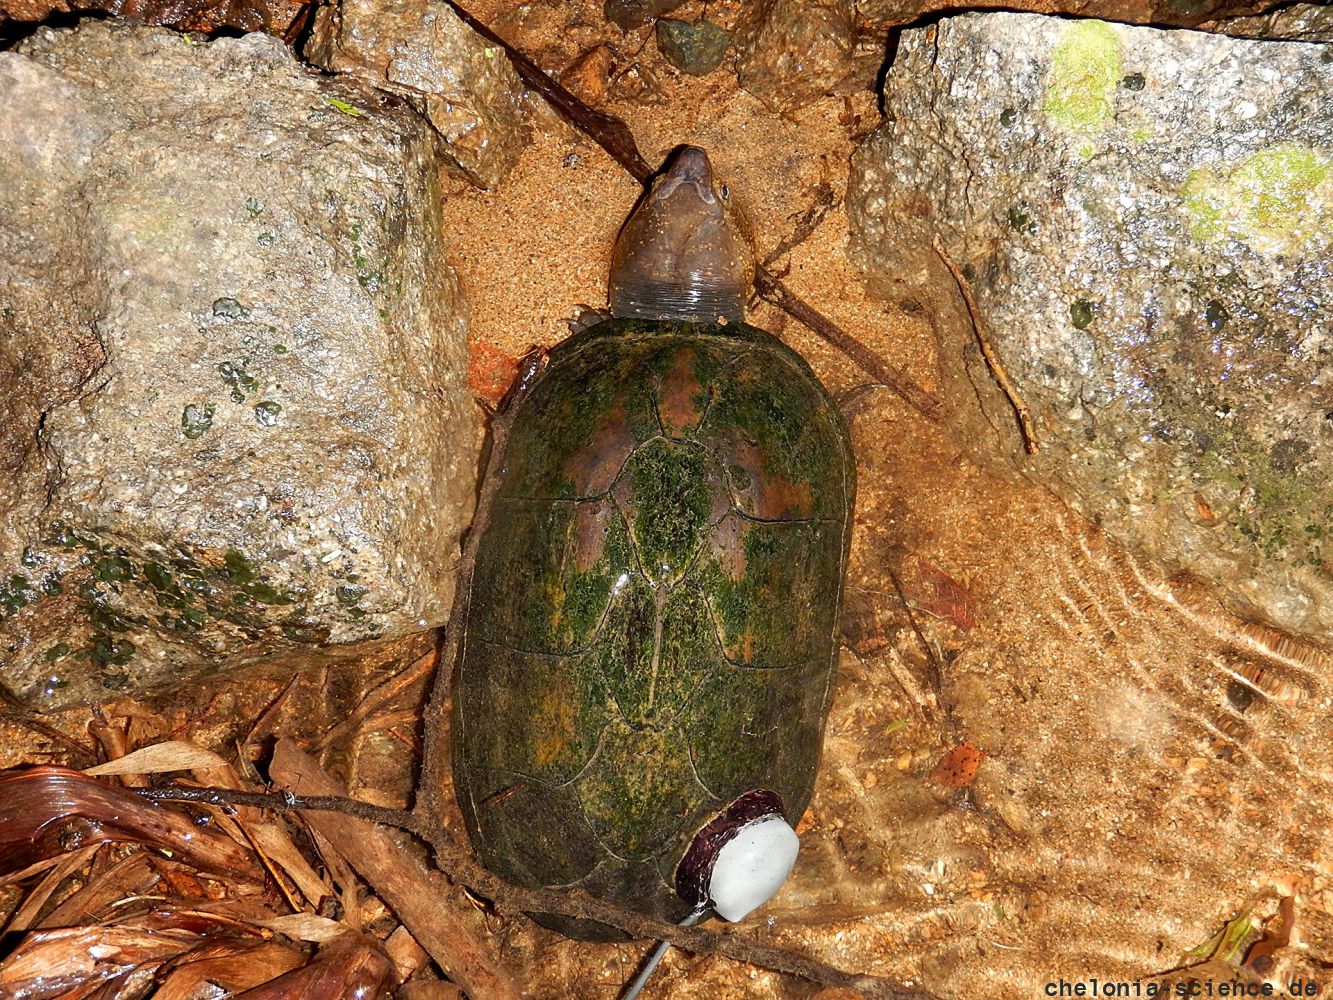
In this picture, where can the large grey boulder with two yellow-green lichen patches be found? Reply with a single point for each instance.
(1146, 219)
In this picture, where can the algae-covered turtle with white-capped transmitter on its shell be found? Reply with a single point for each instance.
(646, 663)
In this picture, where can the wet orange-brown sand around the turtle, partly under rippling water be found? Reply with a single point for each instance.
(1150, 767)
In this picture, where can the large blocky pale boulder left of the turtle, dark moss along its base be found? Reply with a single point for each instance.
(234, 363)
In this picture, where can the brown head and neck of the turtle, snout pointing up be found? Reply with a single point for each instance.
(684, 254)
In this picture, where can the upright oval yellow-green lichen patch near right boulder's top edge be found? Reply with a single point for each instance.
(1086, 70)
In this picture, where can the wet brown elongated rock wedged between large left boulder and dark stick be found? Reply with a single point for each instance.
(423, 51)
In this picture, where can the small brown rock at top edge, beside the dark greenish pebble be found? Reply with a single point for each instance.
(792, 53)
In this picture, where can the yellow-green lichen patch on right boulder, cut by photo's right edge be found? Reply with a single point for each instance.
(1279, 201)
